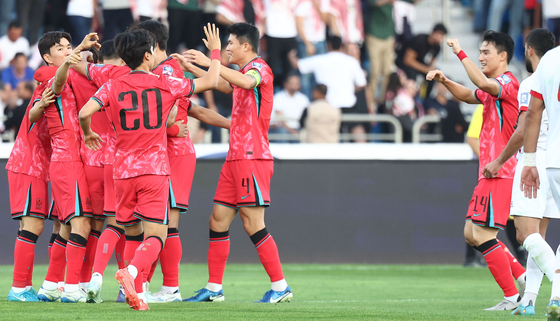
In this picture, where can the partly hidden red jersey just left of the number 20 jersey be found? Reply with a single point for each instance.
(100, 74)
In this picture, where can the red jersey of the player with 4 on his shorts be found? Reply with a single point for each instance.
(250, 116)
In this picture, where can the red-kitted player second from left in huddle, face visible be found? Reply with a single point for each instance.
(68, 181)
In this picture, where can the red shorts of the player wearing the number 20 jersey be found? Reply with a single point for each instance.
(143, 198)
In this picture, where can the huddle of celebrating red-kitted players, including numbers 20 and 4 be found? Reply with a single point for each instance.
(111, 138)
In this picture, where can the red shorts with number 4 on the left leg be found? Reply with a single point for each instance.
(244, 183)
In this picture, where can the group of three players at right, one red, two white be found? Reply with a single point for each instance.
(527, 186)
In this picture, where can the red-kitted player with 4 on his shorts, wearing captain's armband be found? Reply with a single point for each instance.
(244, 184)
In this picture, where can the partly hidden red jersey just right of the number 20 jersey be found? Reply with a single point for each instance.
(176, 146)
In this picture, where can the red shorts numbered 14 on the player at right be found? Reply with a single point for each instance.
(491, 202)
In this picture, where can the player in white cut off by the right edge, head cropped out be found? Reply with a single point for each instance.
(545, 92)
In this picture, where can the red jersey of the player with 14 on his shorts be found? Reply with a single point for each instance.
(499, 118)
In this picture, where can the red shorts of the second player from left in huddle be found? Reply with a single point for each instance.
(70, 190)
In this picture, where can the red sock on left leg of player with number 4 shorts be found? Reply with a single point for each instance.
(218, 252)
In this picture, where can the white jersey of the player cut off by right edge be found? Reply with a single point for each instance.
(545, 86)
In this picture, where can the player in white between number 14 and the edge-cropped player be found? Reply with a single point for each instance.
(531, 215)
